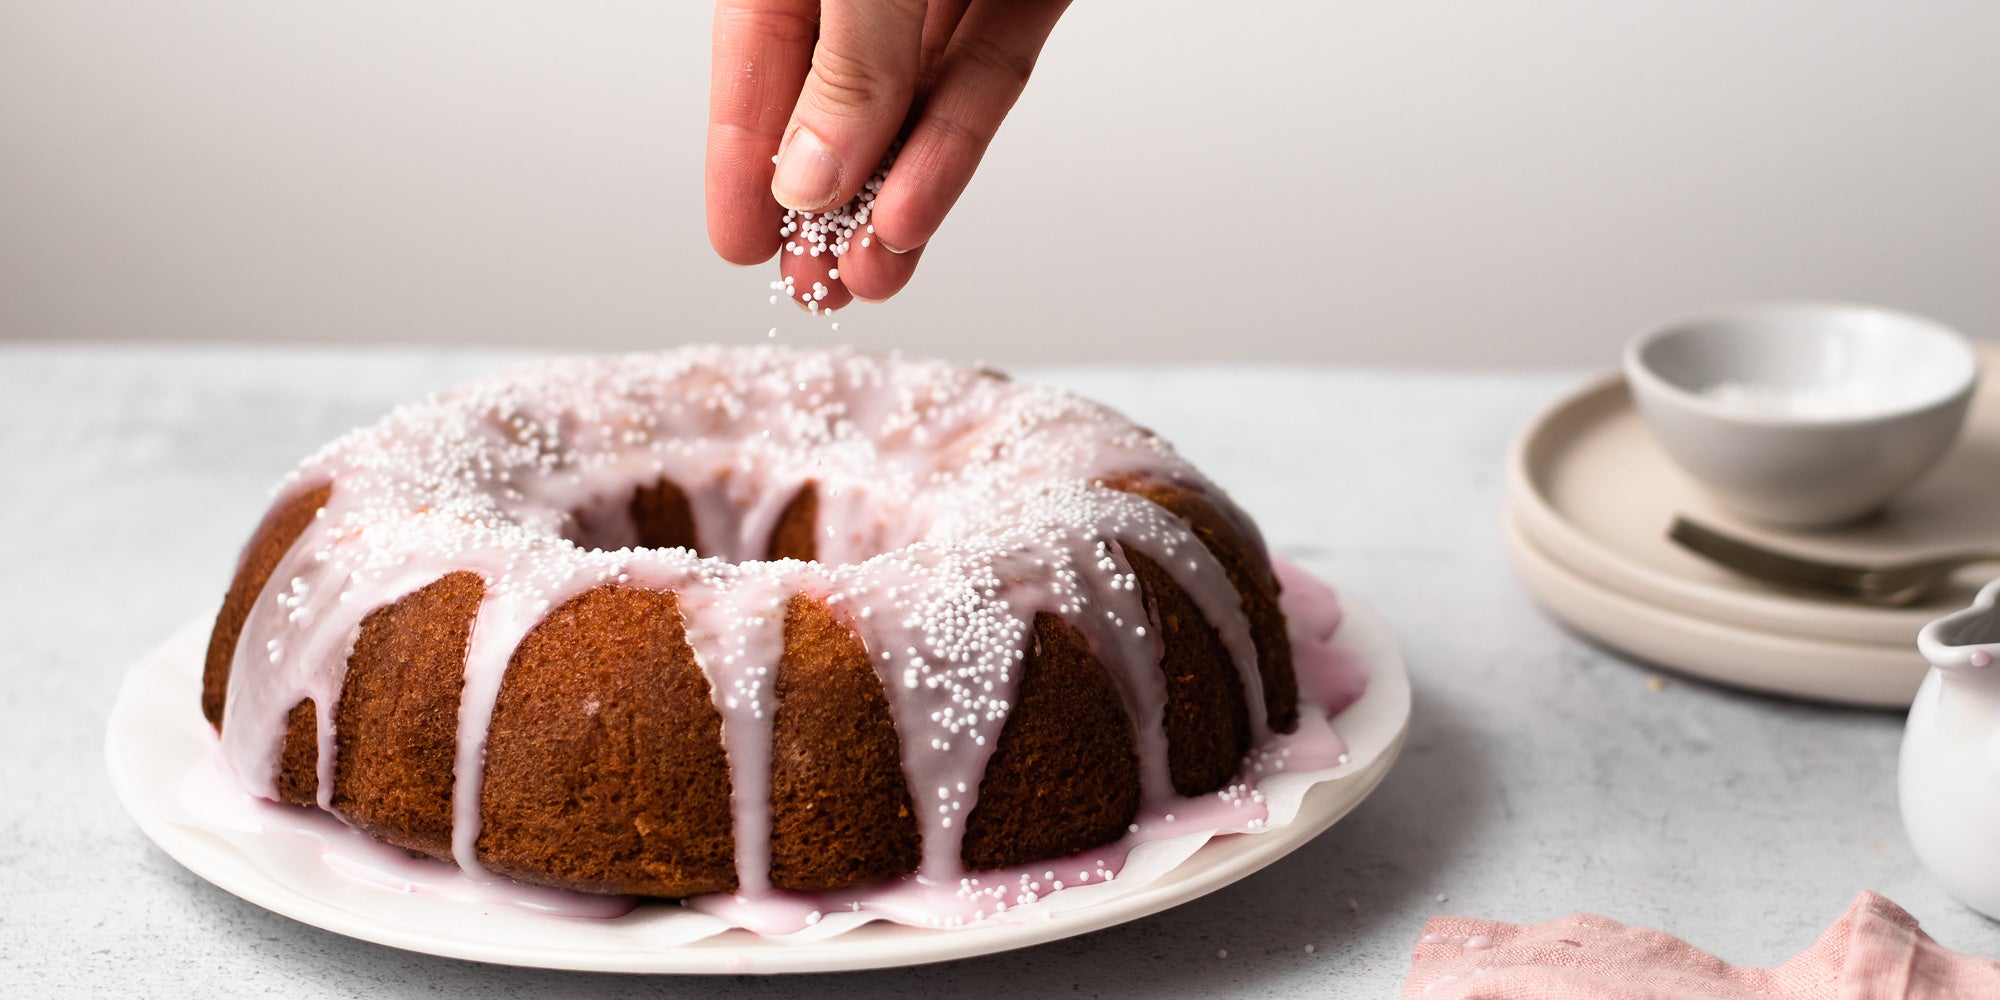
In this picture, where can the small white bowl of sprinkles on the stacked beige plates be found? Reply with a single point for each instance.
(1803, 415)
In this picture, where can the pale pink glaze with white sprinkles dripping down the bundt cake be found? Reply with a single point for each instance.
(955, 507)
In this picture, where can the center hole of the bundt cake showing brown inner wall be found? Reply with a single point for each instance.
(663, 517)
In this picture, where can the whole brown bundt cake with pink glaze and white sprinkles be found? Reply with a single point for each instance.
(747, 621)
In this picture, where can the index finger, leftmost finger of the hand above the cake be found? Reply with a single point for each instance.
(763, 51)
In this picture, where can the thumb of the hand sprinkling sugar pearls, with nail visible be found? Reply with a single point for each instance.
(859, 91)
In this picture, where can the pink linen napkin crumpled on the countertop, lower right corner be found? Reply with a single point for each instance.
(1875, 951)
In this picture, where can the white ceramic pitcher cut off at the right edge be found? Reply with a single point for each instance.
(1949, 777)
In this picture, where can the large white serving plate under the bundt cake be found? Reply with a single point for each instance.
(157, 739)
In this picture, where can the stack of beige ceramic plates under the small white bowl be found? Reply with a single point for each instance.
(1591, 497)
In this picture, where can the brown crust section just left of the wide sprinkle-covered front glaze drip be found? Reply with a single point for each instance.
(841, 803)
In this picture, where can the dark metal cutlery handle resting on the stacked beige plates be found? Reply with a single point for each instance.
(1891, 585)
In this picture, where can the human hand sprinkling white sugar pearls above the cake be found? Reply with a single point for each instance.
(827, 87)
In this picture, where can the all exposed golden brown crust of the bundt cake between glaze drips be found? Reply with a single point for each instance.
(1063, 779)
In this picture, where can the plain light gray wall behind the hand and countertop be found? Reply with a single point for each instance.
(1373, 183)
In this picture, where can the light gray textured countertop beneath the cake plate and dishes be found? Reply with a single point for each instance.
(1541, 777)
